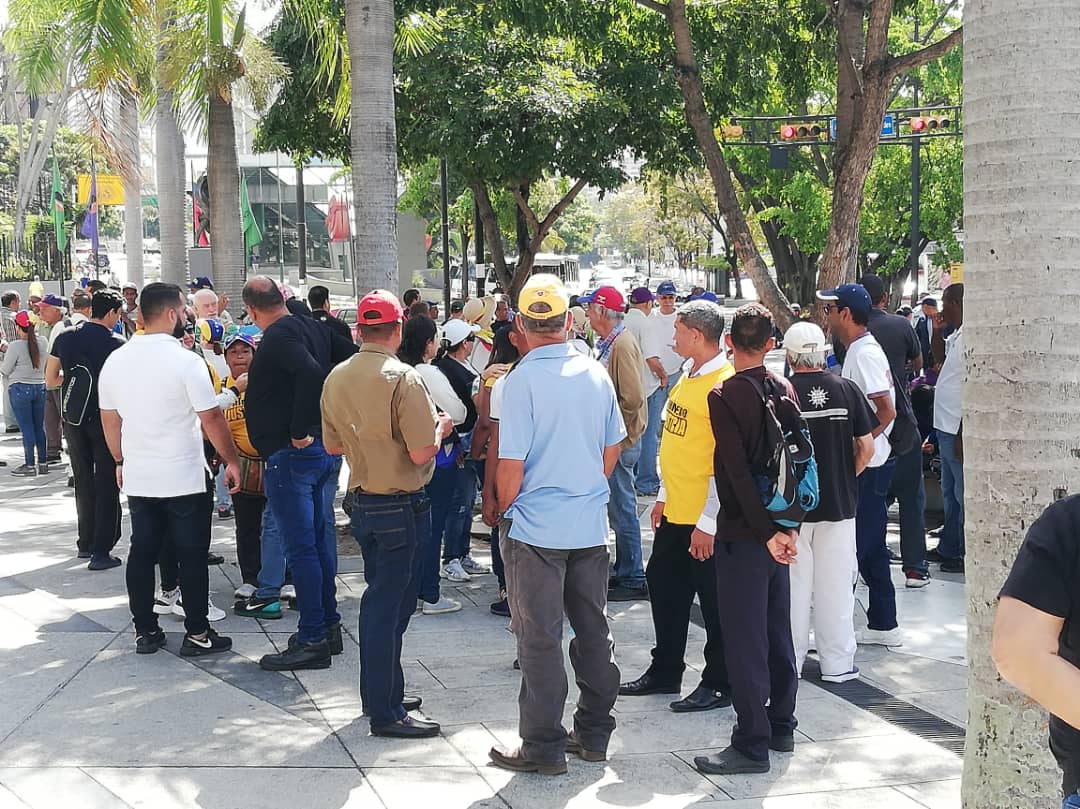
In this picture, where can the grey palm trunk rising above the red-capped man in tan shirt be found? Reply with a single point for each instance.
(370, 28)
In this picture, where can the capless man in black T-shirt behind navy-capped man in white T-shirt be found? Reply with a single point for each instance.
(897, 339)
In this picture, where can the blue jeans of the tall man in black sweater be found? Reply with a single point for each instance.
(301, 486)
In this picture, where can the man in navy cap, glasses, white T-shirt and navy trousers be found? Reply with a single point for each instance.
(848, 309)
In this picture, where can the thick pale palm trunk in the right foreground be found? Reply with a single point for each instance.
(1021, 444)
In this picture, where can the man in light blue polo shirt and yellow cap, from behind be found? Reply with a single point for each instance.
(560, 433)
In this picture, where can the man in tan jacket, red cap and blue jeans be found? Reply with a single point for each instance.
(619, 353)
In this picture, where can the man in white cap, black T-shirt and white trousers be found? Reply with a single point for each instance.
(841, 424)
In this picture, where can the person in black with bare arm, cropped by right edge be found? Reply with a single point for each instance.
(1037, 629)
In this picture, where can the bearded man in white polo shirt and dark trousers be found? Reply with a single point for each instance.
(156, 440)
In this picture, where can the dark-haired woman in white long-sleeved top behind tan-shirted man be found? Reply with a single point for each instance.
(420, 347)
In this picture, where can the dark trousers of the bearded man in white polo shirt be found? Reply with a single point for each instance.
(182, 523)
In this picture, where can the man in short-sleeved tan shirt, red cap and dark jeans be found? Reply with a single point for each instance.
(376, 412)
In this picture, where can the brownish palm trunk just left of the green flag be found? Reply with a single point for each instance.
(223, 177)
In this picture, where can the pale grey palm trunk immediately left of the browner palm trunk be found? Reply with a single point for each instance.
(172, 188)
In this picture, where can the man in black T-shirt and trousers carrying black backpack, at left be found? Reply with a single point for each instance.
(76, 363)
